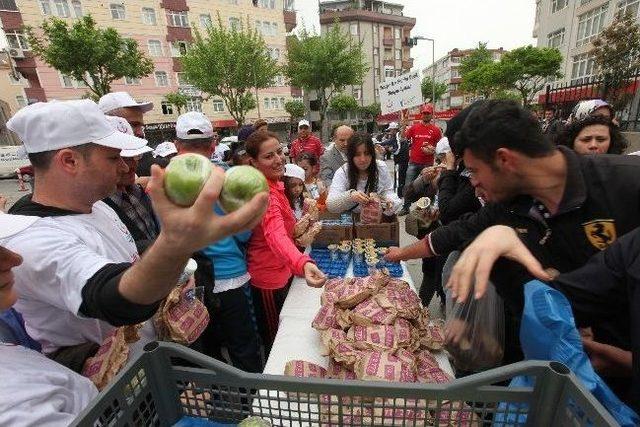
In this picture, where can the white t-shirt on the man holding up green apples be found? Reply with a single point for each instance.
(60, 254)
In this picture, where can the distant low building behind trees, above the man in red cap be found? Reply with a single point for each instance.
(447, 71)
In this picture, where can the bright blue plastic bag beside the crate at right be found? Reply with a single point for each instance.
(548, 332)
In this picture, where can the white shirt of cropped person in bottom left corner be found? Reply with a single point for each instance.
(36, 391)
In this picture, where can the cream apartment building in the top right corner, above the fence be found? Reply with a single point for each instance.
(571, 26)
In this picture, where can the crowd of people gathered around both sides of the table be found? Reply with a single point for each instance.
(98, 245)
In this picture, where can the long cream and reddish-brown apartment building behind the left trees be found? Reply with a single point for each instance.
(163, 30)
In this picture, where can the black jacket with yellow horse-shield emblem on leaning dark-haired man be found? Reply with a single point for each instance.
(601, 202)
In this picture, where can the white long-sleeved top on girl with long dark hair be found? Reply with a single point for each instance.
(340, 185)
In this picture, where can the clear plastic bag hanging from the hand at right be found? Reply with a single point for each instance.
(475, 330)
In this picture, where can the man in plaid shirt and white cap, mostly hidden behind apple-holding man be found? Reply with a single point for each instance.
(130, 200)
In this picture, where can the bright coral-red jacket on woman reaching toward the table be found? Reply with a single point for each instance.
(273, 256)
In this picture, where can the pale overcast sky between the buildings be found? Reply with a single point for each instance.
(456, 23)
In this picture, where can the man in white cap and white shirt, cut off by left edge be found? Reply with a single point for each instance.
(34, 389)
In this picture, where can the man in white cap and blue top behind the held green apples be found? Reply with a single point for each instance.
(222, 271)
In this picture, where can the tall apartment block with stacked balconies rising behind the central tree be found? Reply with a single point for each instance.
(383, 30)
